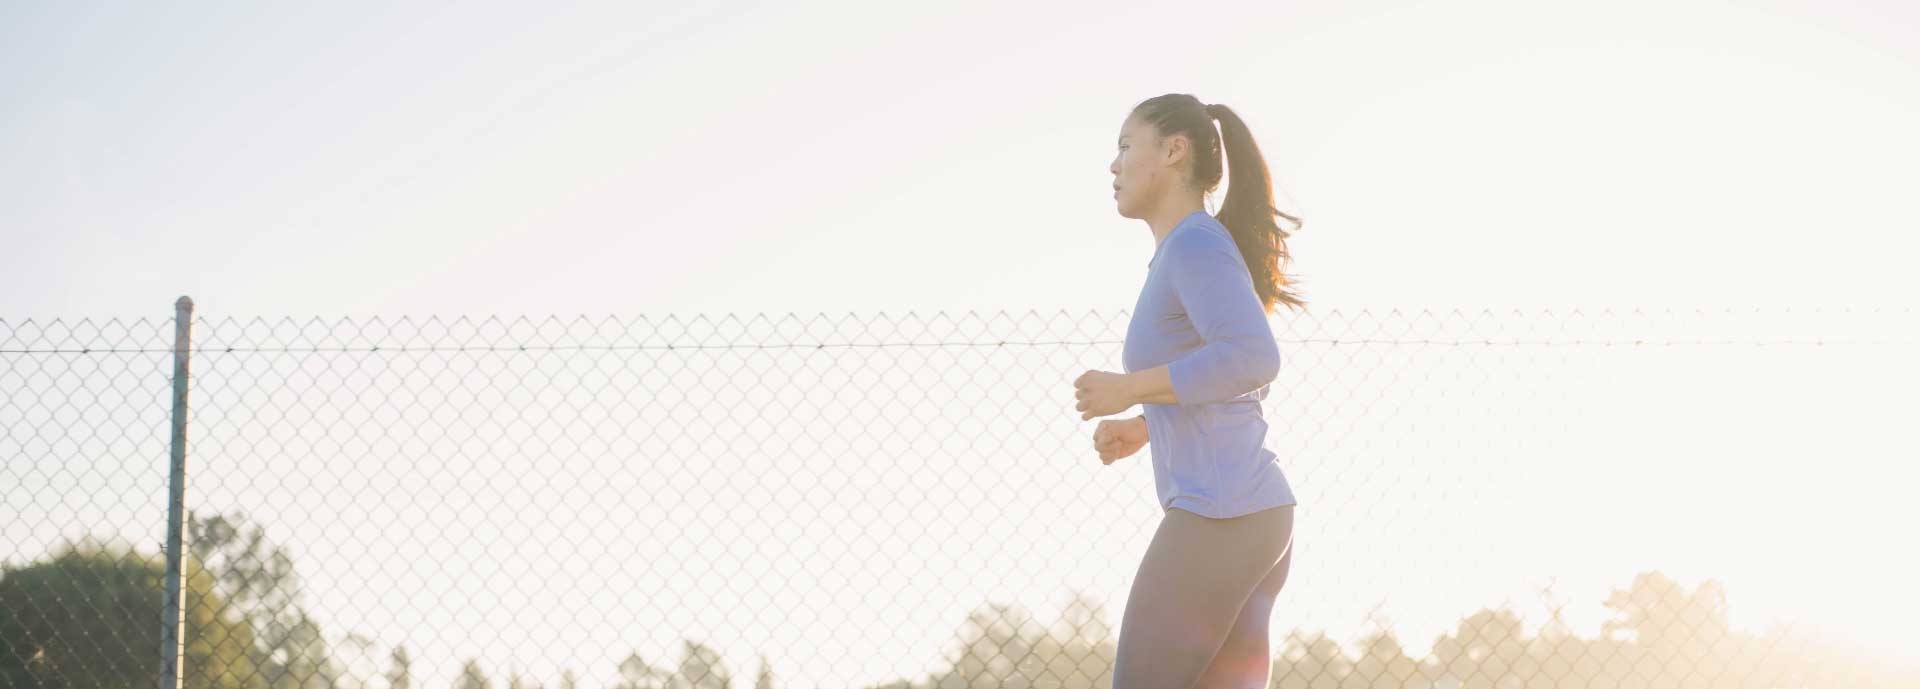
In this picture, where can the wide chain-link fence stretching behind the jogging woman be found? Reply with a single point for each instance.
(1489, 500)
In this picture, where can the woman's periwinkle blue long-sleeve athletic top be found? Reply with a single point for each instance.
(1199, 316)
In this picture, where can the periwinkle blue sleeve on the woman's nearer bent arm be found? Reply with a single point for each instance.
(1214, 289)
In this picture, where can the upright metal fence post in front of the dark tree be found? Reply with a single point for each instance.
(174, 630)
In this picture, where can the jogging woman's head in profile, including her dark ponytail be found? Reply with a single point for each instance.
(1170, 149)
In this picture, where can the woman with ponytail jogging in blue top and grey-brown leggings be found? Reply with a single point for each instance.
(1199, 360)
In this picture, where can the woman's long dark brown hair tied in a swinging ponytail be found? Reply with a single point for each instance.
(1249, 210)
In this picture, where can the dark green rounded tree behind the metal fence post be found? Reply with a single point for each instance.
(91, 617)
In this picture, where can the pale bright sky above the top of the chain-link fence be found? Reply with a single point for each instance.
(354, 160)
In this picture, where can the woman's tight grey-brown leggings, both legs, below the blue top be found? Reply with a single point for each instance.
(1197, 617)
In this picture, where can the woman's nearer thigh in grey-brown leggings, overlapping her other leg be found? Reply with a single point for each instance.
(1195, 581)
